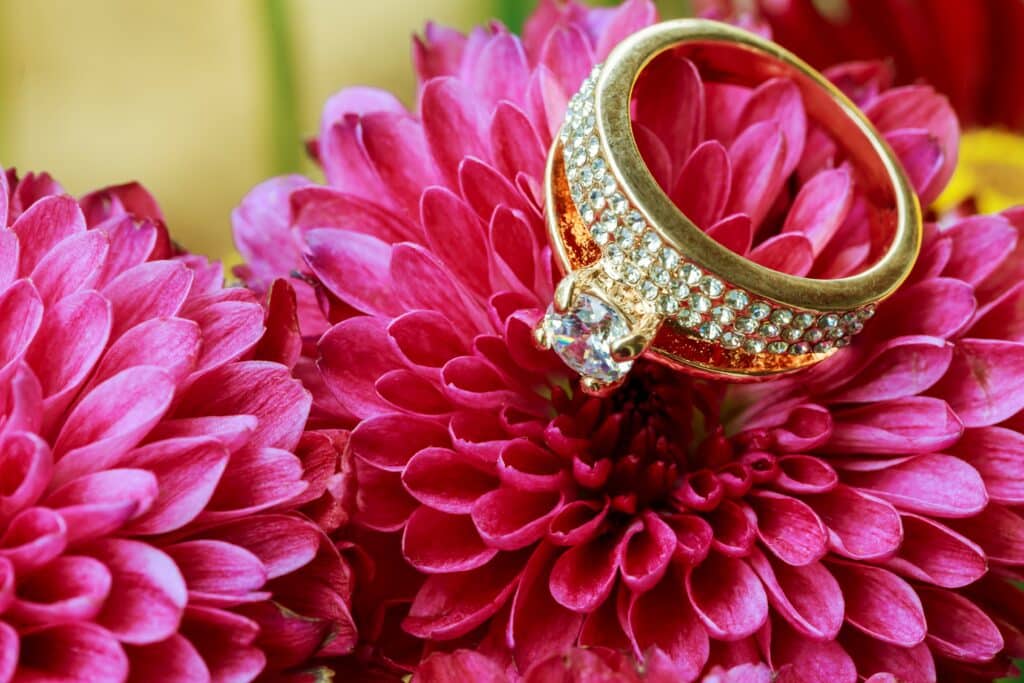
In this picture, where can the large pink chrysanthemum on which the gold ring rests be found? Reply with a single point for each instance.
(860, 520)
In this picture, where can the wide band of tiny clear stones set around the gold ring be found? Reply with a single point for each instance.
(635, 255)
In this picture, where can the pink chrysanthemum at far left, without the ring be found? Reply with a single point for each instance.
(149, 487)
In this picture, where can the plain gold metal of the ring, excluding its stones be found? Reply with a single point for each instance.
(726, 54)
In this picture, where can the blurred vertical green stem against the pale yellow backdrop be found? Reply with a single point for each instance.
(286, 139)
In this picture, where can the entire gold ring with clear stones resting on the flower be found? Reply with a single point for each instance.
(643, 279)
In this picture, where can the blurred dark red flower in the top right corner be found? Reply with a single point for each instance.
(970, 52)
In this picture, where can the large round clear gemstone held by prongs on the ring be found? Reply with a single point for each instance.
(584, 335)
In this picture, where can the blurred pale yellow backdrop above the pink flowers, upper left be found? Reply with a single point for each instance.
(201, 100)
